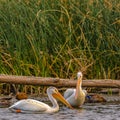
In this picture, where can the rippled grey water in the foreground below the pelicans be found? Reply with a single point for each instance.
(89, 111)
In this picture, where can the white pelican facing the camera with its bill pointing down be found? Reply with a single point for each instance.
(76, 97)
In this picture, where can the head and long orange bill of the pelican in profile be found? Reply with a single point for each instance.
(56, 94)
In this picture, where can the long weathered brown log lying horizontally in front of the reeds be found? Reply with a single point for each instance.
(31, 80)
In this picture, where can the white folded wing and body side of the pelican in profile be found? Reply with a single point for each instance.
(29, 105)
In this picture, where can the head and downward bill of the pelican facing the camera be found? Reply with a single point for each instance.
(79, 83)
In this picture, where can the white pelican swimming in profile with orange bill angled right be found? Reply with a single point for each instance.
(34, 106)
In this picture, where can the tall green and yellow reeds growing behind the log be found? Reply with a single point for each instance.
(57, 38)
